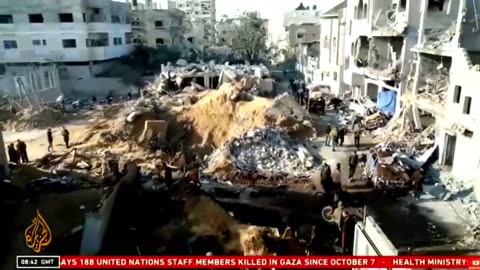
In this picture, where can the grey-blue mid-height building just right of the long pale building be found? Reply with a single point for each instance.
(158, 27)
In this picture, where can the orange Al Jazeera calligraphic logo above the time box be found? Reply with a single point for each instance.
(38, 235)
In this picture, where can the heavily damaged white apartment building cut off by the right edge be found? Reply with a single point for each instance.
(444, 83)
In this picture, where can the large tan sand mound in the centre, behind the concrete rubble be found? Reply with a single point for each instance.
(216, 119)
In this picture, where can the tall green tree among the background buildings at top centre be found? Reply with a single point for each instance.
(250, 40)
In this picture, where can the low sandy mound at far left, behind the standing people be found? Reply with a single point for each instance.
(40, 118)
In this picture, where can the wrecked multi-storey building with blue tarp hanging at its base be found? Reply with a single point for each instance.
(380, 34)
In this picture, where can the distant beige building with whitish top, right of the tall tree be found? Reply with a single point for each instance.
(302, 25)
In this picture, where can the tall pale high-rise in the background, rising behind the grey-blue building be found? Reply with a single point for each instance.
(202, 12)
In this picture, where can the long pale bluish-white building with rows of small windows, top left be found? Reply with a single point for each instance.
(51, 32)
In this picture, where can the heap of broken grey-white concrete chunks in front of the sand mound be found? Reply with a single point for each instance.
(267, 150)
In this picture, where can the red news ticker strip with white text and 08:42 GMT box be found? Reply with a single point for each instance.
(209, 262)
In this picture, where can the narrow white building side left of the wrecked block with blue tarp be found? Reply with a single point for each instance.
(332, 40)
